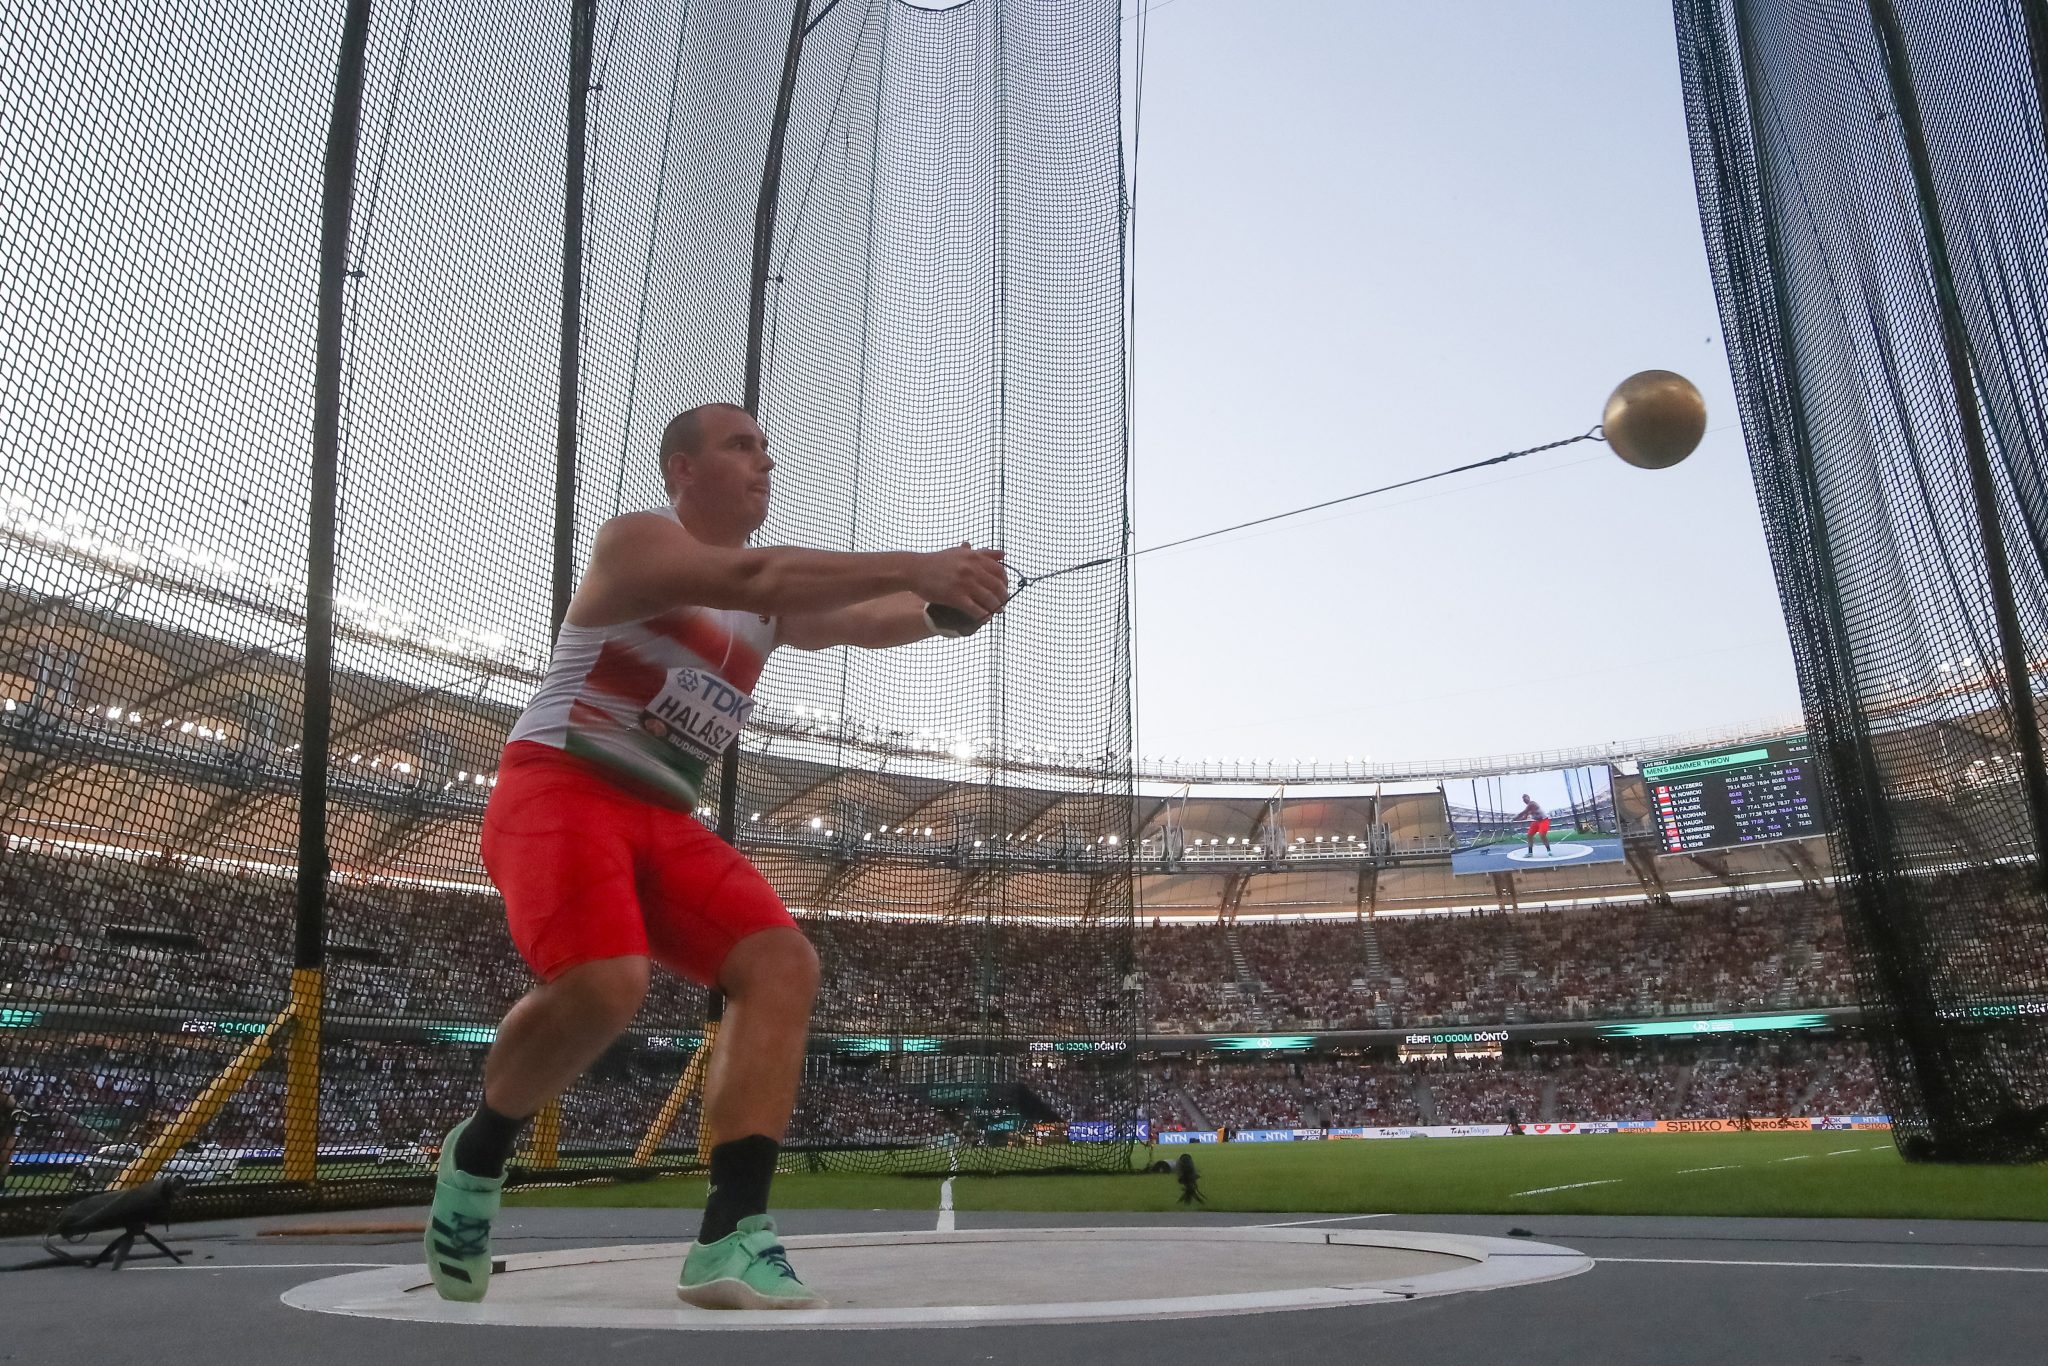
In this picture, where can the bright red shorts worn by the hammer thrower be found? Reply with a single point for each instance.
(591, 871)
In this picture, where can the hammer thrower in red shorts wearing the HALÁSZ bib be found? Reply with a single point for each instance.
(605, 869)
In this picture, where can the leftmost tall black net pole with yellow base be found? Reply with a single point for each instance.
(337, 214)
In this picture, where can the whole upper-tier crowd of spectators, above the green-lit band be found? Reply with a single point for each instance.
(120, 931)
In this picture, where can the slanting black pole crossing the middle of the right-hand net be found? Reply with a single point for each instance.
(1975, 450)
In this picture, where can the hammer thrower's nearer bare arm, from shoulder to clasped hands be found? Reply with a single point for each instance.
(646, 564)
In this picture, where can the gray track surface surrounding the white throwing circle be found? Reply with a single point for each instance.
(226, 1312)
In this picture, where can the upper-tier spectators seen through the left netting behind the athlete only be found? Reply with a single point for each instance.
(214, 939)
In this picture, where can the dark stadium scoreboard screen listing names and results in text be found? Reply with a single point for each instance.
(1732, 798)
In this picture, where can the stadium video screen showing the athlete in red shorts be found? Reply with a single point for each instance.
(1535, 820)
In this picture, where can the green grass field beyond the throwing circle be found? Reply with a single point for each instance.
(1793, 1175)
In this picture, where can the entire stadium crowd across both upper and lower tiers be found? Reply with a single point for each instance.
(216, 941)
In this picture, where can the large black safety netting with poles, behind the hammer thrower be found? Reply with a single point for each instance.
(329, 339)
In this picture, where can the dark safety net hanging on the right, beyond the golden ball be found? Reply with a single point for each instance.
(1873, 189)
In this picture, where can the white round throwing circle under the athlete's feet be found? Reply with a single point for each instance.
(984, 1277)
